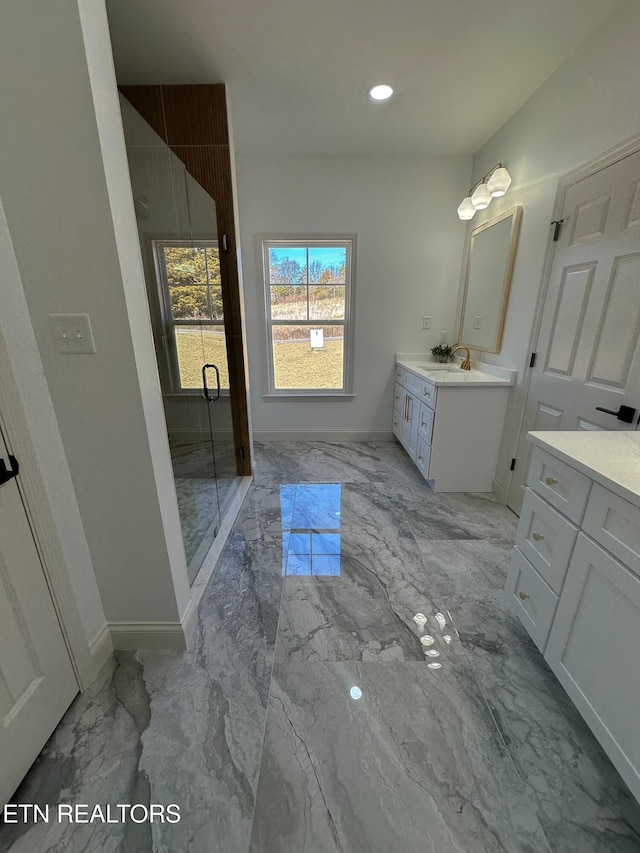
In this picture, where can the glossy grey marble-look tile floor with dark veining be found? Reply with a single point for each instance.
(309, 716)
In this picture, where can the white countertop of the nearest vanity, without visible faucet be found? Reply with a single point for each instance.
(610, 458)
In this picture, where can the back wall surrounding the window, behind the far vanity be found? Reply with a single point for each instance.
(409, 248)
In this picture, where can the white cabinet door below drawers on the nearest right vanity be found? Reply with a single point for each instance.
(593, 649)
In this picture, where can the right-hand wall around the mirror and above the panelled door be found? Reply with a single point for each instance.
(590, 104)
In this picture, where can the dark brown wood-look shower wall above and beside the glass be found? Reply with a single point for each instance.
(192, 121)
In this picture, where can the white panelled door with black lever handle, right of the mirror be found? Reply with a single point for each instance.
(587, 352)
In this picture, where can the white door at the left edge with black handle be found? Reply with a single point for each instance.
(37, 682)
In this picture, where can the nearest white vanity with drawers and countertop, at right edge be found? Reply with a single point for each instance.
(574, 580)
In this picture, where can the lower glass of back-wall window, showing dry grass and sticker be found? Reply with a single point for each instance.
(308, 356)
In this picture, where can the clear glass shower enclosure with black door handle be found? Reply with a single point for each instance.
(178, 234)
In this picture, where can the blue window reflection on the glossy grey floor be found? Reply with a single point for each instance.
(310, 519)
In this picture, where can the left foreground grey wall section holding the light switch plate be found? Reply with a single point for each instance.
(64, 184)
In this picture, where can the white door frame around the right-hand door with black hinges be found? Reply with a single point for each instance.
(586, 170)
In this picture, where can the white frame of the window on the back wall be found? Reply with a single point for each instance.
(264, 242)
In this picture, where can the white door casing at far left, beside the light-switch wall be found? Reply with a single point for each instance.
(31, 486)
